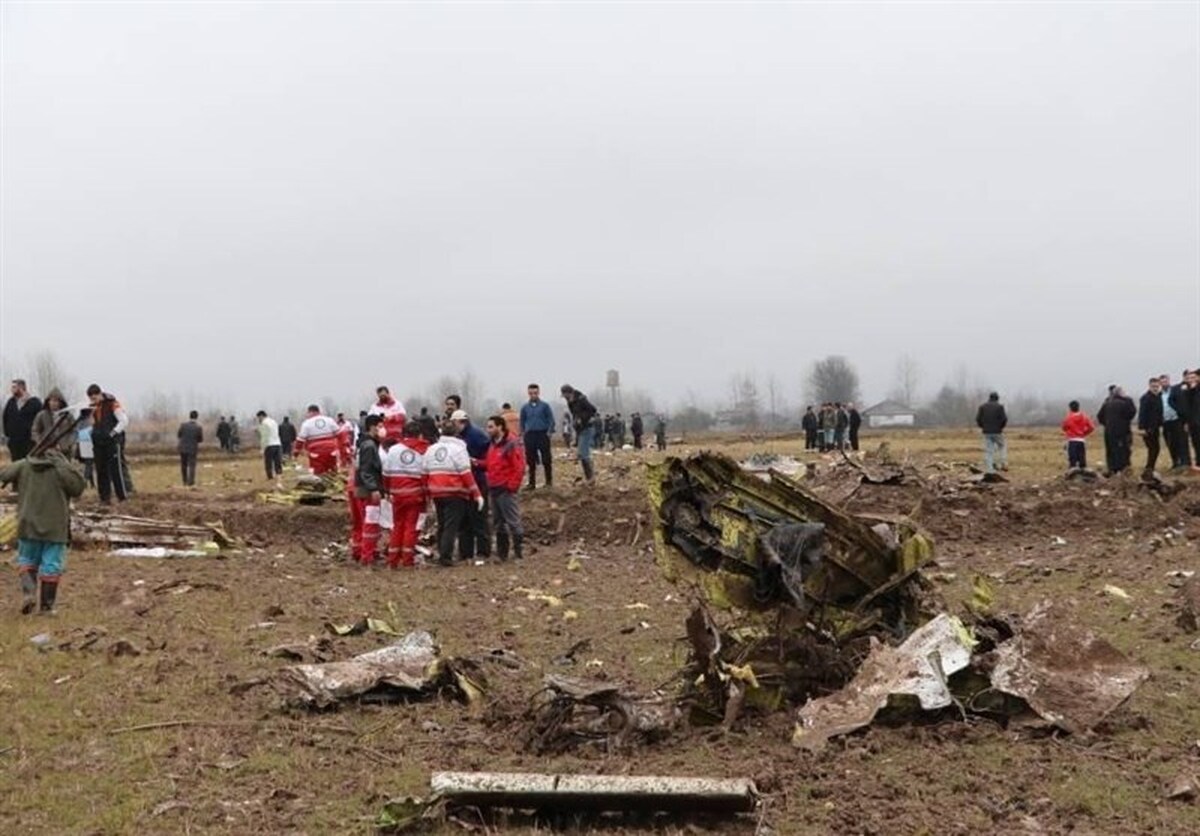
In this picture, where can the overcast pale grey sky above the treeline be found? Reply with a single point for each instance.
(269, 203)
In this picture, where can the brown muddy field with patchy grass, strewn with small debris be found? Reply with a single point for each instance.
(147, 713)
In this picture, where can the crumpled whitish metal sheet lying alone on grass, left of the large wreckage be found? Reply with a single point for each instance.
(412, 667)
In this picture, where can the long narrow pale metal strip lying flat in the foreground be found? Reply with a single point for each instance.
(596, 793)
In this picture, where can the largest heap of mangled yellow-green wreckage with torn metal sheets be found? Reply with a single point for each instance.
(832, 612)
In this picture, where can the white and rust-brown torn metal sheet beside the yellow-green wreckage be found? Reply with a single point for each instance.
(920, 669)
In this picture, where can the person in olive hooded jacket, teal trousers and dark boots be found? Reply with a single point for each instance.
(45, 485)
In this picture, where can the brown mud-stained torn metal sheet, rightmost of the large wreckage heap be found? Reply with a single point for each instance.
(1069, 676)
